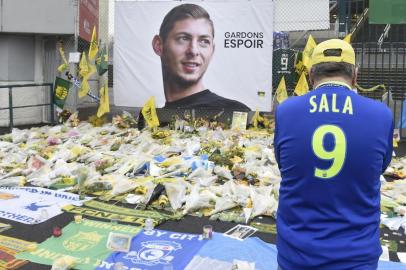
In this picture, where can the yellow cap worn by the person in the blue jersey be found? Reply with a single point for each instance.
(333, 50)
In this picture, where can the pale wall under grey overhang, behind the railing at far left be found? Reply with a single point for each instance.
(22, 56)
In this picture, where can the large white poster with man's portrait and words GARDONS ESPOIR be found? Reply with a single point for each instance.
(230, 55)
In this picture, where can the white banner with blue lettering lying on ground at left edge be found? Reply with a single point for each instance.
(33, 205)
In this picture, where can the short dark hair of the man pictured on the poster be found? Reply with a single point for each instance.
(182, 12)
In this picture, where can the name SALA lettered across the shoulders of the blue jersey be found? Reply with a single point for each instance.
(324, 105)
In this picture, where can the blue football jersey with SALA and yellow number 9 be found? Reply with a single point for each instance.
(331, 146)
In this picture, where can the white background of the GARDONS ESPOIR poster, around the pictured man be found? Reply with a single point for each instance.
(240, 67)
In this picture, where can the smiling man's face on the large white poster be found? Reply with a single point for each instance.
(187, 51)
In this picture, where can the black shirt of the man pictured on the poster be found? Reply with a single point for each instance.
(209, 100)
